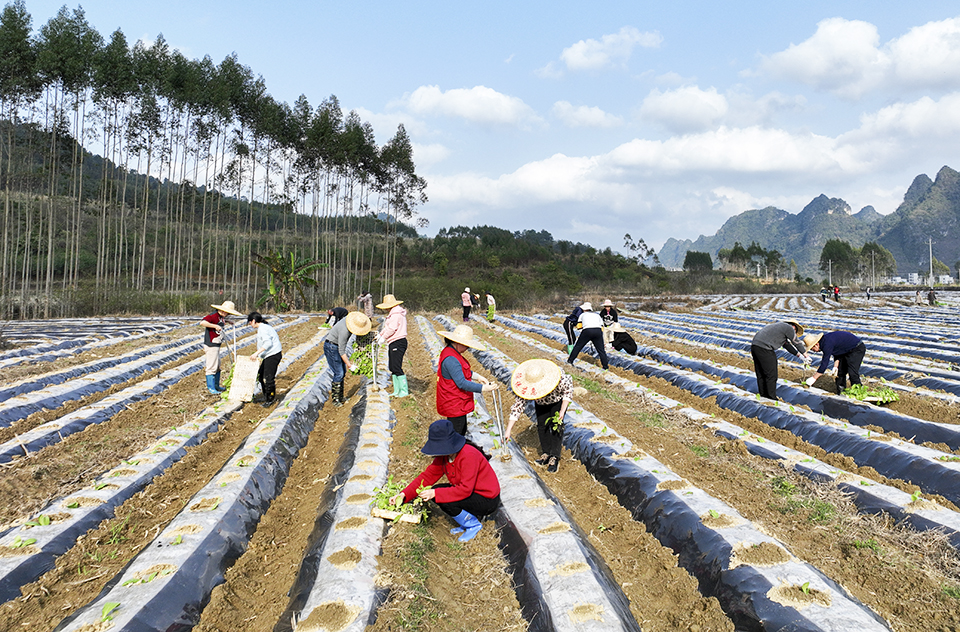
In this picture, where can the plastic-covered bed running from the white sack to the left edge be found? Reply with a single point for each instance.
(81, 511)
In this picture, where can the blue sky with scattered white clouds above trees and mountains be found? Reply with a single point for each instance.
(596, 120)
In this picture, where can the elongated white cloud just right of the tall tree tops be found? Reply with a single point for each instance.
(478, 105)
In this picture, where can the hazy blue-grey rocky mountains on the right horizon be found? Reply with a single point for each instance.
(930, 209)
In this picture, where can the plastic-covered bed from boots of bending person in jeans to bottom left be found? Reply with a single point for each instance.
(166, 586)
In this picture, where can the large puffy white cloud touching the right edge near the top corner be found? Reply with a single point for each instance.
(845, 57)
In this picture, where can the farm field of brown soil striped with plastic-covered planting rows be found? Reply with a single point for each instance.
(133, 500)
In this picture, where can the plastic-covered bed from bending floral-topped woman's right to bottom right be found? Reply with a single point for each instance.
(712, 540)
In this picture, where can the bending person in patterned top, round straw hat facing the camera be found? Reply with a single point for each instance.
(551, 391)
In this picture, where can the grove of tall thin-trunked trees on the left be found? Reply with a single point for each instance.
(132, 171)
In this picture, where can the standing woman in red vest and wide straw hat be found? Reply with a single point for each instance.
(455, 387)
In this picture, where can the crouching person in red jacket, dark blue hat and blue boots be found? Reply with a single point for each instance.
(473, 491)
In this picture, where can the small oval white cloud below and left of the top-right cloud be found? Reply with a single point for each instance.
(687, 109)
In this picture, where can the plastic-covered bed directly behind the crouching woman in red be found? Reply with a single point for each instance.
(561, 581)
